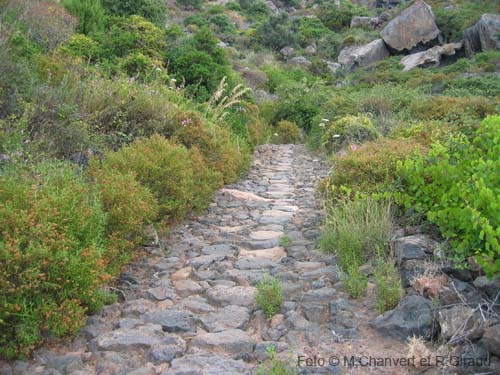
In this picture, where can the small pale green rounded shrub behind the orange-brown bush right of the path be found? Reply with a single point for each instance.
(349, 130)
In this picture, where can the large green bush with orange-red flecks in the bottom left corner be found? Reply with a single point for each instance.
(51, 255)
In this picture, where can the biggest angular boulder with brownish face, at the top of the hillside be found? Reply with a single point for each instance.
(415, 25)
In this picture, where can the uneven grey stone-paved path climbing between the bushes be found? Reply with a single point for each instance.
(191, 310)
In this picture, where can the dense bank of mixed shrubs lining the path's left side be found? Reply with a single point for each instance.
(97, 139)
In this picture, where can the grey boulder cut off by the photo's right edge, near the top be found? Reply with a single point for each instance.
(484, 35)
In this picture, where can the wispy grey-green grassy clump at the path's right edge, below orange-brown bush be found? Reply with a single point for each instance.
(354, 230)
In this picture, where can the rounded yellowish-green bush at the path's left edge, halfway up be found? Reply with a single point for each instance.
(168, 170)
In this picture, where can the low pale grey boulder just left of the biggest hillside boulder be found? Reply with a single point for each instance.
(353, 57)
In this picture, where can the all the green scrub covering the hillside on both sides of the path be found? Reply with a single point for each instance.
(119, 114)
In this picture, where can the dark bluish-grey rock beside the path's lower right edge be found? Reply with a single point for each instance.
(412, 317)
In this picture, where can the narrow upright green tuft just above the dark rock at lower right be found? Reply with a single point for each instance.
(388, 282)
